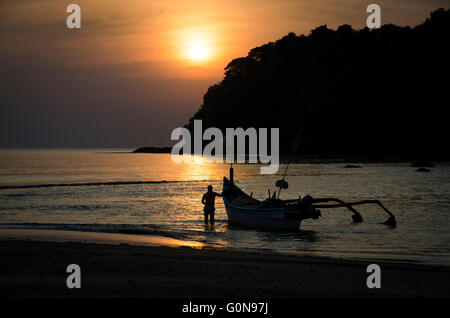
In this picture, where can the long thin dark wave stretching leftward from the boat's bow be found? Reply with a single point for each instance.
(87, 184)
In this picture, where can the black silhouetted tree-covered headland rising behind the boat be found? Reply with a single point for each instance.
(371, 93)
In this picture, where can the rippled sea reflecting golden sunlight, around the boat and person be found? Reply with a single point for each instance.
(122, 193)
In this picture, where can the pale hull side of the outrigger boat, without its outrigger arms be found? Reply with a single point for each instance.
(272, 219)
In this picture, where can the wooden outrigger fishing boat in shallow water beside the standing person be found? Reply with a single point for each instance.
(276, 214)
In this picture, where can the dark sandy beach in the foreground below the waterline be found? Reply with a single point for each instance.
(31, 268)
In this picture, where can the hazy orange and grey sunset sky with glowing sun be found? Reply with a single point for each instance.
(170, 50)
